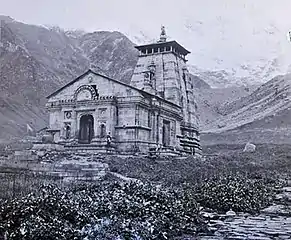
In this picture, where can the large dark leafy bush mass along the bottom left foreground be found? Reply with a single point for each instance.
(103, 211)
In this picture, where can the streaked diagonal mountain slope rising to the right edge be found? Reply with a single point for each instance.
(268, 107)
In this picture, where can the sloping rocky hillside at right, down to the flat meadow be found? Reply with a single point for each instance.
(262, 116)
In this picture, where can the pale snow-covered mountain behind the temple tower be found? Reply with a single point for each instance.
(223, 74)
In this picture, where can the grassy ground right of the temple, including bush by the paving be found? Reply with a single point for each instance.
(222, 180)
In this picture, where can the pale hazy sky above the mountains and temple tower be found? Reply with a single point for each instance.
(219, 33)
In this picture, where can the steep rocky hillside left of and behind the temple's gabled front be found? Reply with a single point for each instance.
(34, 61)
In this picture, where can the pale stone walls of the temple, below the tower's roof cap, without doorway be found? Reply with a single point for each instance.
(128, 114)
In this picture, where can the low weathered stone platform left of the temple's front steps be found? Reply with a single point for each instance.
(67, 166)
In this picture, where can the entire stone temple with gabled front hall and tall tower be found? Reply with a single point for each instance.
(157, 110)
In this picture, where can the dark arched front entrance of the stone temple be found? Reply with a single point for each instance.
(86, 131)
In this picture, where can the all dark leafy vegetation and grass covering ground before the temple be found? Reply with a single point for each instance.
(166, 205)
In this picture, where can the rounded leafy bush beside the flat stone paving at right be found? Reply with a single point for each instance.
(236, 192)
